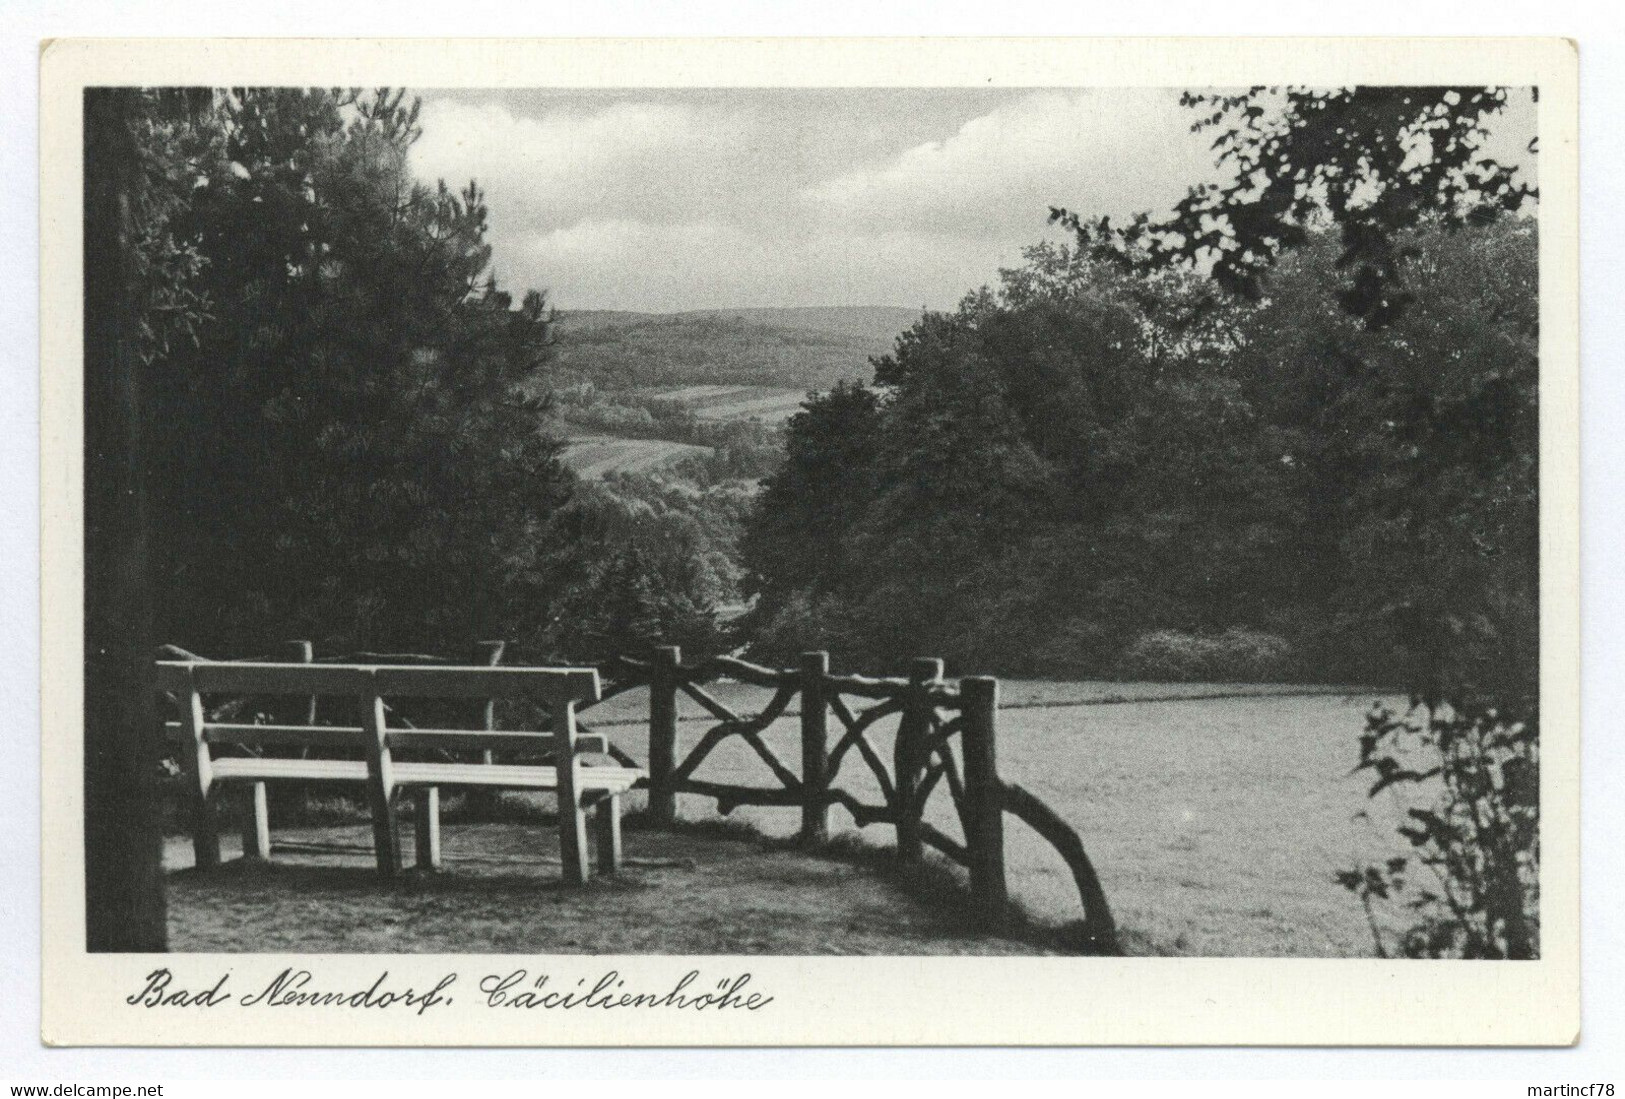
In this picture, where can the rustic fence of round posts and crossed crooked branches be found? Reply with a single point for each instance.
(943, 739)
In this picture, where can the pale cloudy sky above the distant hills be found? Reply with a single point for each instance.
(664, 201)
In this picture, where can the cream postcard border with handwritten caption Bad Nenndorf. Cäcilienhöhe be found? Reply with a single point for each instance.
(818, 1001)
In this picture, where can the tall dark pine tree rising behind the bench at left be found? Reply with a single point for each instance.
(345, 446)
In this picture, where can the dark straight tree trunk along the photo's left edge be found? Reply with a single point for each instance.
(124, 890)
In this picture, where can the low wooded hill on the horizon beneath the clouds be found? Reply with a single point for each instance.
(784, 349)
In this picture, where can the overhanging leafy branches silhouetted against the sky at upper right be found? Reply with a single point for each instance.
(1376, 162)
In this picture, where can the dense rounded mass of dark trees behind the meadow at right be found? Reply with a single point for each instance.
(1107, 472)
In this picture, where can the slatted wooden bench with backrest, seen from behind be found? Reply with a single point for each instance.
(375, 744)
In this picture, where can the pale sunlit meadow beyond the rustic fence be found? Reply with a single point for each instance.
(1216, 825)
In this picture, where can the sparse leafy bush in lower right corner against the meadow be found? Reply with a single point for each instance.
(1473, 880)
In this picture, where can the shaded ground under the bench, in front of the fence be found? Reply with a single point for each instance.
(501, 893)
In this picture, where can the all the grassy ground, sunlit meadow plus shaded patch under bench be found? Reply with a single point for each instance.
(1216, 827)
